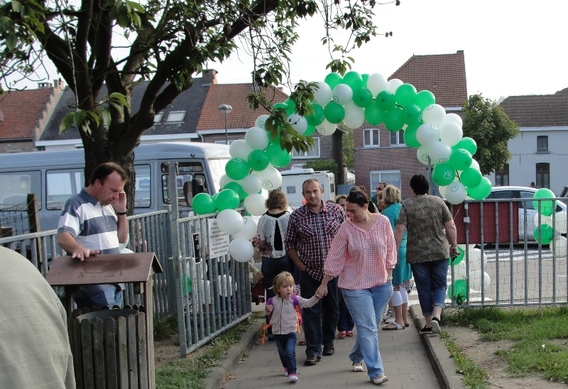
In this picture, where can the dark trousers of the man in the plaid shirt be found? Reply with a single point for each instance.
(319, 321)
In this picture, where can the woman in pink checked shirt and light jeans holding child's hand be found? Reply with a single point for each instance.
(362, 256)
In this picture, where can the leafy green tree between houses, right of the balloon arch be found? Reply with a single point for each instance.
(491, 128)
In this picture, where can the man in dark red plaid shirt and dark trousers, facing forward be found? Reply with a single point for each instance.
(311, 229)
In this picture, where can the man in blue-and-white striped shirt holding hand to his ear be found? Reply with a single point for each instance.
(94, 222)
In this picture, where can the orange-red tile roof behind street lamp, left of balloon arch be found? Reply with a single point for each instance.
(234, 95)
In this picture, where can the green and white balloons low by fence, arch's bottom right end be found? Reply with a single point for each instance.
(465, 277)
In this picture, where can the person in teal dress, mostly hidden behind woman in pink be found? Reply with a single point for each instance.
(391, 201)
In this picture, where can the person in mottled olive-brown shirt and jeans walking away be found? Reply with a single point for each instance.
(431, 241)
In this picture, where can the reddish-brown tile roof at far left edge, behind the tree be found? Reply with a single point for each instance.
(22, 112)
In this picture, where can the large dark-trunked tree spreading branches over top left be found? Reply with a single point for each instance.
(117, 43)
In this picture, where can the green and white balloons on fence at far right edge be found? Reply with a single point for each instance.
(550, 225)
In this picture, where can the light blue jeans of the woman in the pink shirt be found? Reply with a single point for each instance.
(366, 307)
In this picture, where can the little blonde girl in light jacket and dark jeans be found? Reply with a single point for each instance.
(284, 320)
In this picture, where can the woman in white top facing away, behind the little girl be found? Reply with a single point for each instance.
(269, 239)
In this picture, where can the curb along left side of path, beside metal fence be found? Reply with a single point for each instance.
(217, 377)
